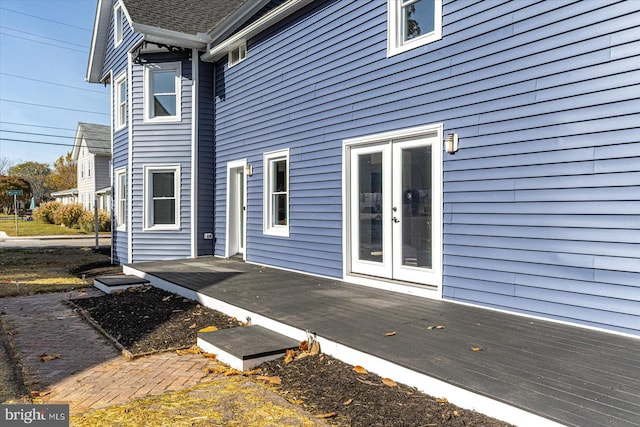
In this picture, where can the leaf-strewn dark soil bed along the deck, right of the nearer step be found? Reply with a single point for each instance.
(324, 385)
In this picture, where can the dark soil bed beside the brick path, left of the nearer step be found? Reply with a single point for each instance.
(146, 319)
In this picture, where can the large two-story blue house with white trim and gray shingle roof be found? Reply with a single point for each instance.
(481, 152)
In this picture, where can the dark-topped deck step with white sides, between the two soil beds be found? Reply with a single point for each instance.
(245, 347)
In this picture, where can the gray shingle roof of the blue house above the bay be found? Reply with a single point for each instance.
(185, 16)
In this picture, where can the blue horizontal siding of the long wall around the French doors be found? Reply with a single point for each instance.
(540, 203)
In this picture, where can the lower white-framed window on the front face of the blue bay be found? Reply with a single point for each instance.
(162, 197)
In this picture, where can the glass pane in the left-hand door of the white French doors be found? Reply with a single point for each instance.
(370, 207)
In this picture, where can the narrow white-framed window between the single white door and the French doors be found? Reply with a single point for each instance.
(276, 193)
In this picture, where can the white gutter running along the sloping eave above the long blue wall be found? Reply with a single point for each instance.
(276, 15)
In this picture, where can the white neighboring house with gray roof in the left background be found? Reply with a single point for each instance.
(92, 155)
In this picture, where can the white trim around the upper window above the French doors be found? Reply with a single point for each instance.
(395, 42)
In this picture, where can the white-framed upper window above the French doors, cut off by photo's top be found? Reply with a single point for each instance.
(412, 23)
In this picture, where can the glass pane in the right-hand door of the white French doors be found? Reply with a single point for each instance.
(416, 207)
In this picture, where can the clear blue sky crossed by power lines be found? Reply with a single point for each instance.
(44, 51)
